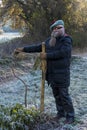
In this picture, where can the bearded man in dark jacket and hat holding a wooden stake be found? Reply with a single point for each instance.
(58, 55)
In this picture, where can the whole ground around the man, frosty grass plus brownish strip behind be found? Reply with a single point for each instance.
(12, 90)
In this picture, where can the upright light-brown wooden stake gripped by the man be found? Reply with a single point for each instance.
(43, 66)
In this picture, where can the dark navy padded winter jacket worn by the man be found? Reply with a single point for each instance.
(58, 60)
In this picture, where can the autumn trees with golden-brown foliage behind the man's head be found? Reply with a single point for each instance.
(36, 16)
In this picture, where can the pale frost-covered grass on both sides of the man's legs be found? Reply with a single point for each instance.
(12, 92)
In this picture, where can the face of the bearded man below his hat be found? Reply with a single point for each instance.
(59, 30)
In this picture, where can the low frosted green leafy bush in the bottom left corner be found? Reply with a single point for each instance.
(18, 118)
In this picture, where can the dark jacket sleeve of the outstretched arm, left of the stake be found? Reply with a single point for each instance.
(32, 48)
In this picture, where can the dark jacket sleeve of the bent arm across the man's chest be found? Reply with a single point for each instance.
(64, 51)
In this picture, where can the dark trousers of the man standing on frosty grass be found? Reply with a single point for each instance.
(63, 102)
